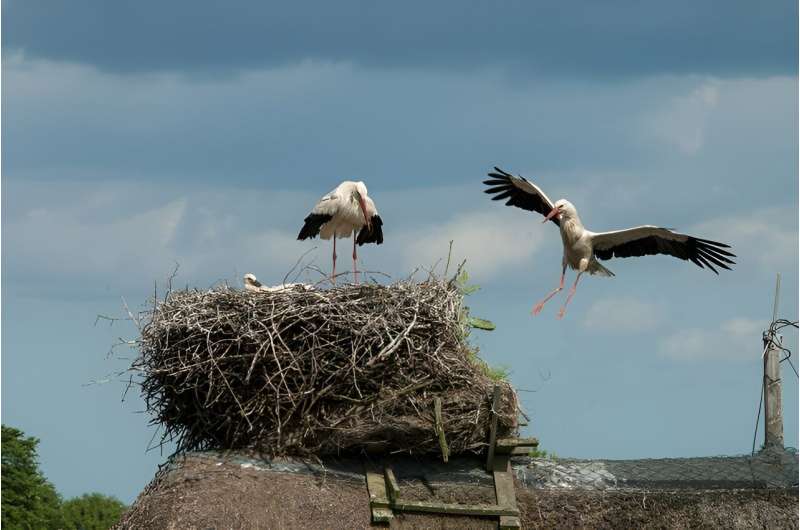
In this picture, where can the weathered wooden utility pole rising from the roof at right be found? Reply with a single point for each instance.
(773, 408)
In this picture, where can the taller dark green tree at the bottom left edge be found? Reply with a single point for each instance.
(28, 500)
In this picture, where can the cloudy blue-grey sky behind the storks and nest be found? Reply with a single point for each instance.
(137, 136)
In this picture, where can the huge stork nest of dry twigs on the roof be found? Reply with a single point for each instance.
(347, 369)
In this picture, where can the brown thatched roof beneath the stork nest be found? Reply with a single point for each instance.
(209, 491)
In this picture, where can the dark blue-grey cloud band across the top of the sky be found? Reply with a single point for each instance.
(577, 37)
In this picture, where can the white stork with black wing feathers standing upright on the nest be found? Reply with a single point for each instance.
(342, 212)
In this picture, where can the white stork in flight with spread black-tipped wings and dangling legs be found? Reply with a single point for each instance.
(582, 247)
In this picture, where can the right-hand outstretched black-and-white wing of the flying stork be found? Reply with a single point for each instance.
(651, 240)
